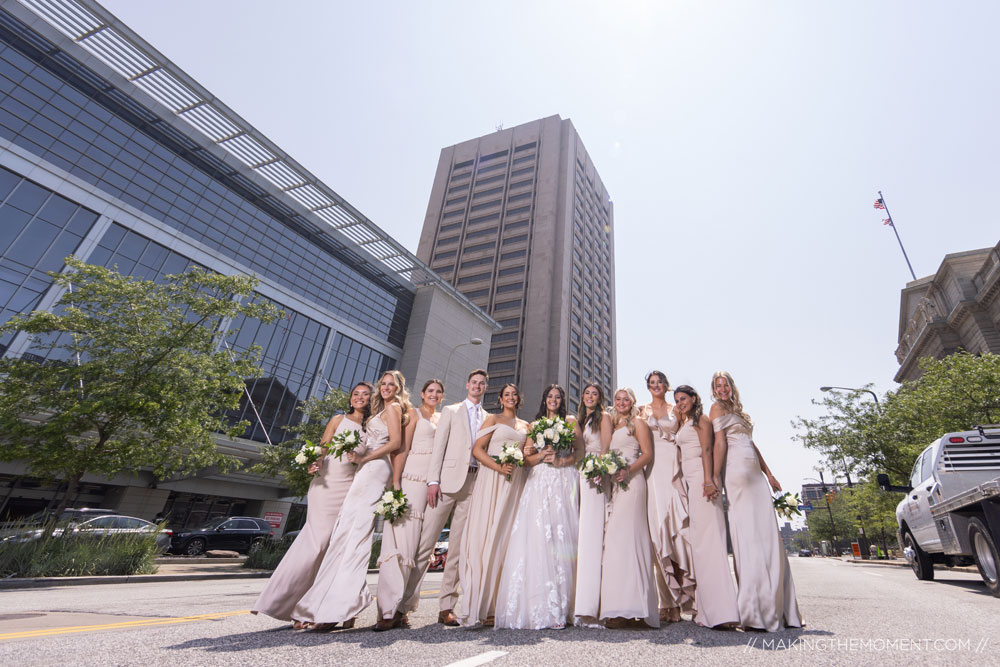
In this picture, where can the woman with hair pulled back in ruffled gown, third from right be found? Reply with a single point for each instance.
(667, 505)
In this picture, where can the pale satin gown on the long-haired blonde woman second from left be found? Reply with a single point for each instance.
(340, 591)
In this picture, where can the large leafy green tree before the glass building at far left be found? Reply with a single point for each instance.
(136, 376)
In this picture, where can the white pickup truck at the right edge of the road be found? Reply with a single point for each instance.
(950, 514)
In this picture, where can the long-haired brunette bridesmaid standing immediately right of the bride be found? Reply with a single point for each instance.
(593, 429)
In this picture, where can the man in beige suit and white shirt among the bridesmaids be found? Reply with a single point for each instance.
(450, 478)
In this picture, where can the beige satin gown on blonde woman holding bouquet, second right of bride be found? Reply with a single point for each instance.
(628, 589)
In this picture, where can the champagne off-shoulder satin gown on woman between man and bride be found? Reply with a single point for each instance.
(487, 530)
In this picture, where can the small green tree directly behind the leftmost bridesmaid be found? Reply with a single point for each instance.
(277, 459)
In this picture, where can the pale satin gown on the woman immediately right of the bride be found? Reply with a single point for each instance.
(590, 549)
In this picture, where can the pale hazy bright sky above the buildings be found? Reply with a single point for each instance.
(742, 143)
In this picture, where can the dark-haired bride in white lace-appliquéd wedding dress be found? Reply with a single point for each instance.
(538, 581)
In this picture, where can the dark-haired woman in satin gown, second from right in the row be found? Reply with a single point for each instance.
(715, 595)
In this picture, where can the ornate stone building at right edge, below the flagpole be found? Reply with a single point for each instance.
(958, 307)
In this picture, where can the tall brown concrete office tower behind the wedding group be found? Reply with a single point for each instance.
(520, 222)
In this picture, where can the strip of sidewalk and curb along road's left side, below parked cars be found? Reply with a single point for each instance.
(168, 569)
